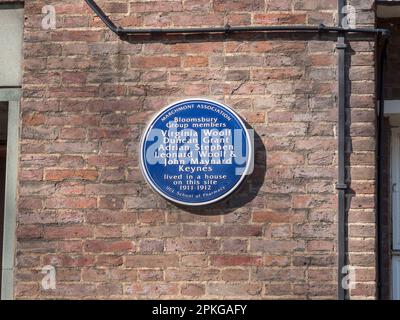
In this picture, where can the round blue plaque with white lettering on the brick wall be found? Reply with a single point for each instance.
(196, 152)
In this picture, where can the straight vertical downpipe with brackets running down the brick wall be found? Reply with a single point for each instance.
(341, 185)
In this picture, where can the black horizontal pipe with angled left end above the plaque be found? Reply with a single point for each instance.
(226, 29)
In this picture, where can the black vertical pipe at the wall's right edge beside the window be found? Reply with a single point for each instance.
(380, 164)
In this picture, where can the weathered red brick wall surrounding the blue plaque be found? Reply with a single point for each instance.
(84, 206)
